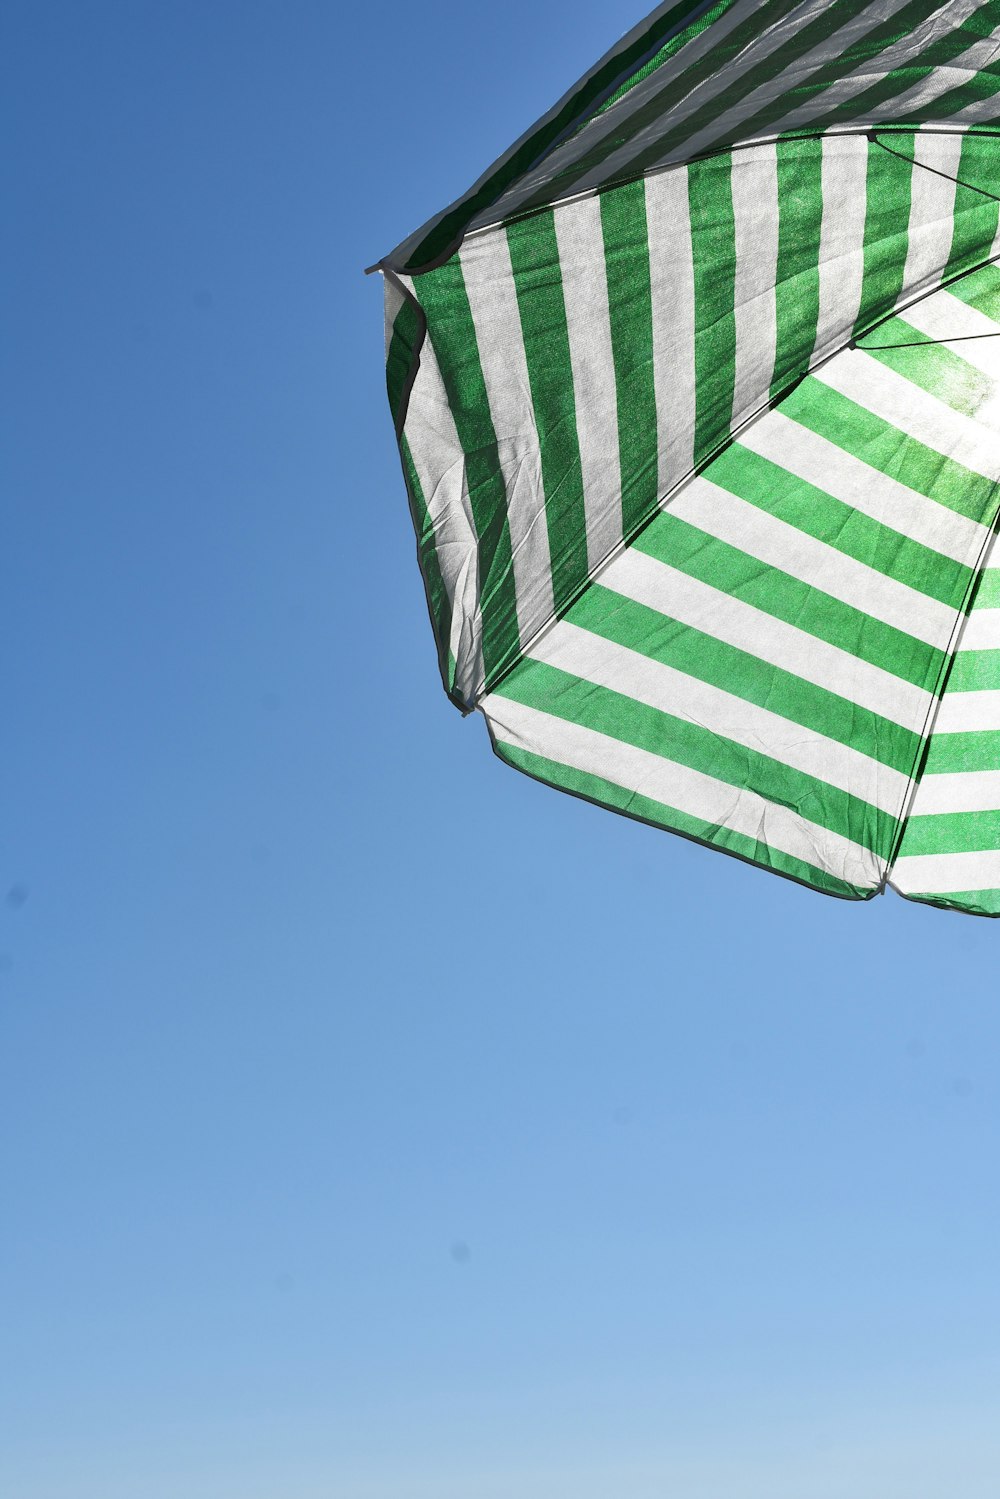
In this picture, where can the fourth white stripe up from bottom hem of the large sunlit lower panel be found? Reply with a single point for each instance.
(822, 567)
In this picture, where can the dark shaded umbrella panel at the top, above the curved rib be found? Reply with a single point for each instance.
(740, 73)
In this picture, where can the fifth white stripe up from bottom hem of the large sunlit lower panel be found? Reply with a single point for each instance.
(837, 473)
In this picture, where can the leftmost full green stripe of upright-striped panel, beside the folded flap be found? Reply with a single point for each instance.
(446, 304)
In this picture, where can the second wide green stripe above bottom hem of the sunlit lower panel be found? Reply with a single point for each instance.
(734, 671)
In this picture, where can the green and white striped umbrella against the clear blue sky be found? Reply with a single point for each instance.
(698, 396)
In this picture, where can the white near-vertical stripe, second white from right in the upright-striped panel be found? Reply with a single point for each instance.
(845, 185)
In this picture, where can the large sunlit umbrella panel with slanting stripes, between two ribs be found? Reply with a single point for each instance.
(759, 669)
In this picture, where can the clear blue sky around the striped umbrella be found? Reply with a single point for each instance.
(374, 1122)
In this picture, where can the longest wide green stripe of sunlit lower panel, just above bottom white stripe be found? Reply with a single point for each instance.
(674, 740)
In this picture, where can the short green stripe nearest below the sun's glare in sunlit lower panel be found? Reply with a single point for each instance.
(888, 450)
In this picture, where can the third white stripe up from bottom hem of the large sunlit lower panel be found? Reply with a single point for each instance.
(693, 603)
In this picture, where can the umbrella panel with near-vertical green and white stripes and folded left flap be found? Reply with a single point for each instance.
(579, 365)
